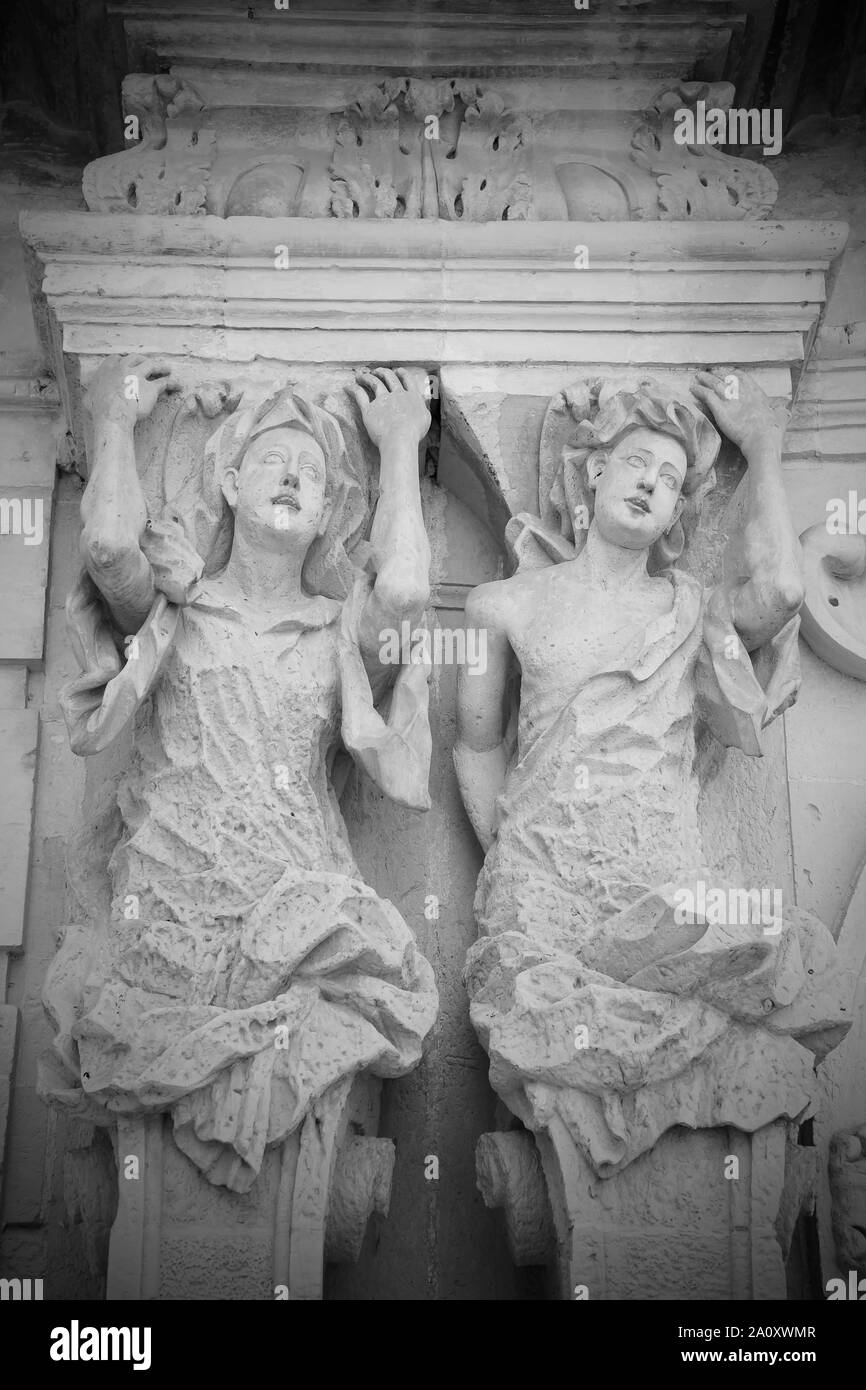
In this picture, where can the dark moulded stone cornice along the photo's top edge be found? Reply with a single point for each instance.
(603, 41)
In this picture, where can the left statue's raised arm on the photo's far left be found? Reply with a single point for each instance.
(113, 505)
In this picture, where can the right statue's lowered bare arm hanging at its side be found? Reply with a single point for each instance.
(480, 757)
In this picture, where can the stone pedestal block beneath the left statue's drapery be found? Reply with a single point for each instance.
(176, 1238)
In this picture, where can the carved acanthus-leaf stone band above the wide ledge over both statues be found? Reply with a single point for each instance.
(407, 148)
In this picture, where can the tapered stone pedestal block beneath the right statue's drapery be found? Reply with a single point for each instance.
(632, 1236)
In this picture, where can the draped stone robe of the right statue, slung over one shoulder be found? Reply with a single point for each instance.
(598, 1000)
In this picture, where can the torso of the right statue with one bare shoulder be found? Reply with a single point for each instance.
(601, 801)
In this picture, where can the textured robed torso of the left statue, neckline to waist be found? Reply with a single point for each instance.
(229, 783)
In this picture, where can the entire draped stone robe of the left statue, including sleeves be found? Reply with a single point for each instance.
(245, 968)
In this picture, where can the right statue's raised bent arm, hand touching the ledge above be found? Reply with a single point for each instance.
(764, 561)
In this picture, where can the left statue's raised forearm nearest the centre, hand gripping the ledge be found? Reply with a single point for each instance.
(397, 420)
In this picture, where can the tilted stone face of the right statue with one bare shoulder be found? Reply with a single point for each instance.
(639, 489)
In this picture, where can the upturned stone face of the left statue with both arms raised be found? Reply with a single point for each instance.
(280, 489)
